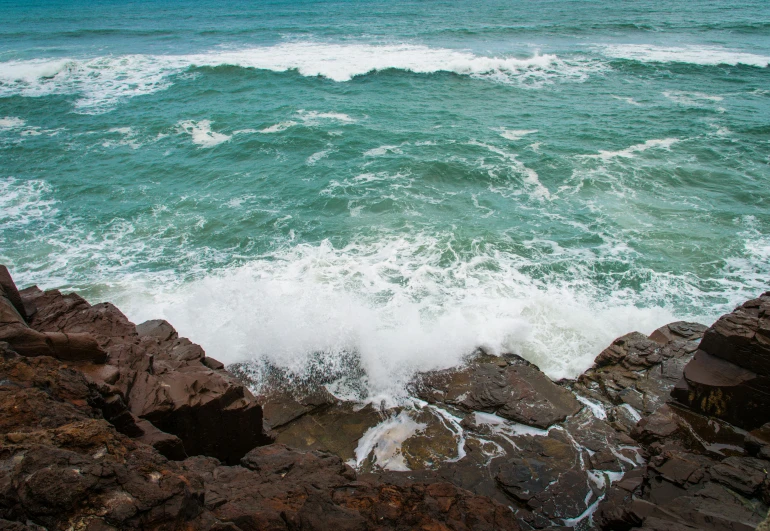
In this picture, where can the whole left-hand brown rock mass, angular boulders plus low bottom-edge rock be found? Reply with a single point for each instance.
(105, 425)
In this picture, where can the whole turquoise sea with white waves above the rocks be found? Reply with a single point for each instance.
(374, 188)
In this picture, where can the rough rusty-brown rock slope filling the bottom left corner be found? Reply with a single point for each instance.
(62, 465)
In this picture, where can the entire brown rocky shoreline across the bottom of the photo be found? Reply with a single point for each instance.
(108, 425)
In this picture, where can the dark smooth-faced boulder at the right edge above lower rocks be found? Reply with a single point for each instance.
(729, 377)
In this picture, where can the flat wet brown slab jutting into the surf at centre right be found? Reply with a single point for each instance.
(514, 390)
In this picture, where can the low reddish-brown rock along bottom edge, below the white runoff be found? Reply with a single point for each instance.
(315, 490)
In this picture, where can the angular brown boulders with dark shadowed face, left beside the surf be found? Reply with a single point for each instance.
(162, 378)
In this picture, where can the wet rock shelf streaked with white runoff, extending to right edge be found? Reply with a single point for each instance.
(611, 450)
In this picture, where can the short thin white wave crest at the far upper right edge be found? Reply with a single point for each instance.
(692, 54)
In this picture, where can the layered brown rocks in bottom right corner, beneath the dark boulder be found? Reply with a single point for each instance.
(699, 476)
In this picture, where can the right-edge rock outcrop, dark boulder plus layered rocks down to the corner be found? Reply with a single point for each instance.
(703, 471)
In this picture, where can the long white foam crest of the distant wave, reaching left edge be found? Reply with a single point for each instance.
(103, 82)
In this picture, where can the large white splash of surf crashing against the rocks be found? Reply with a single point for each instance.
(395, 306)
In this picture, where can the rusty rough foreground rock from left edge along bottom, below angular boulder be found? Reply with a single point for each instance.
(62, 466)
